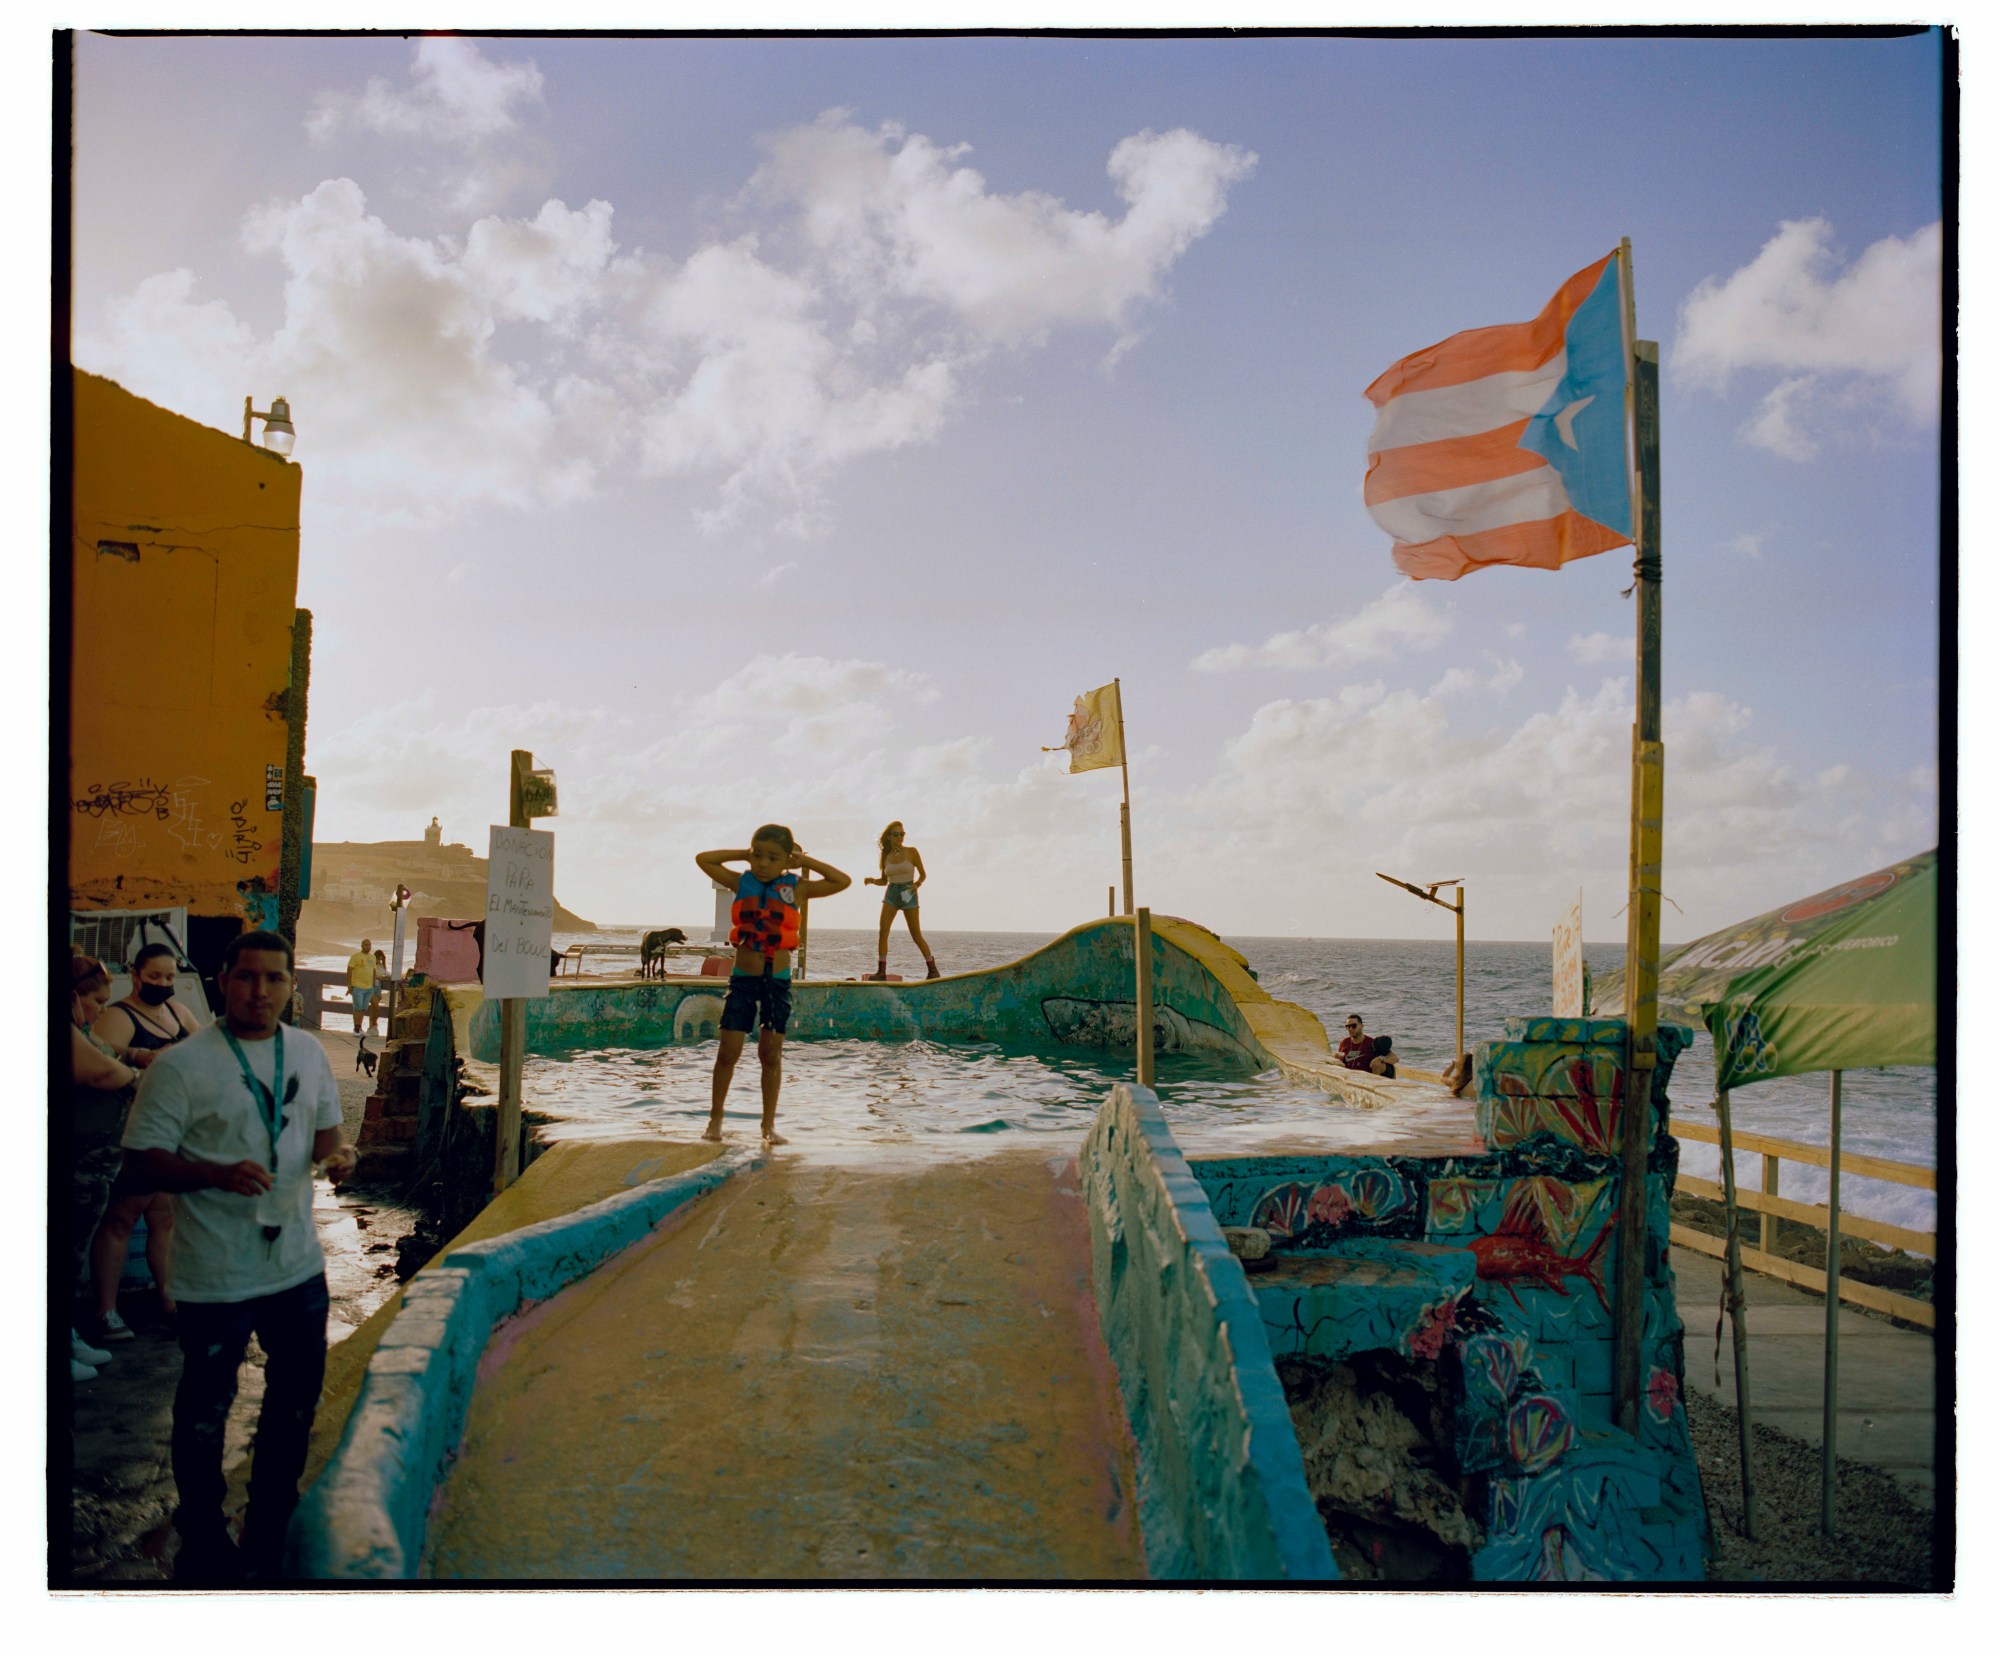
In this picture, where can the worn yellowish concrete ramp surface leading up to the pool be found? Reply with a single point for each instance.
(811, 1373)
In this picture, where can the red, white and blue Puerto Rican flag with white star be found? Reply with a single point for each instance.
(1509, 445)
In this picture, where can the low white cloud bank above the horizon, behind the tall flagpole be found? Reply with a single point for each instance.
(1395, 781)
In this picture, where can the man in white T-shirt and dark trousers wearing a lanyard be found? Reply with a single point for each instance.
(233, 1121)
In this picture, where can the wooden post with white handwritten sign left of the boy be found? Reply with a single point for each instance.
(521, 917)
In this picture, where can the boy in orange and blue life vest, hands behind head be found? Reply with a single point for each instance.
(765, 931)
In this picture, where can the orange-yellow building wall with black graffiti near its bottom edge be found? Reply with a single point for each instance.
(185, 579)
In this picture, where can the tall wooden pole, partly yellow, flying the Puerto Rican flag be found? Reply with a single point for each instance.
(1643, 911)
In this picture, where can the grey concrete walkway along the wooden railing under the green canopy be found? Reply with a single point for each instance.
(1887, 1375)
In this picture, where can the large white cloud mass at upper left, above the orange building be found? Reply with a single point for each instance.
(531, 361)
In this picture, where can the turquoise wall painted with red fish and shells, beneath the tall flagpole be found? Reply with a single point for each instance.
(1503, 1267)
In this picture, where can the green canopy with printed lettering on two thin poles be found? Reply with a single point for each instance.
(1839, 981)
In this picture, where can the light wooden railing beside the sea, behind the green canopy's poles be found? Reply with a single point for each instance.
(1771, 1207)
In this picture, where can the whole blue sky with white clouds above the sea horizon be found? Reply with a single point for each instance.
(795, 429)
